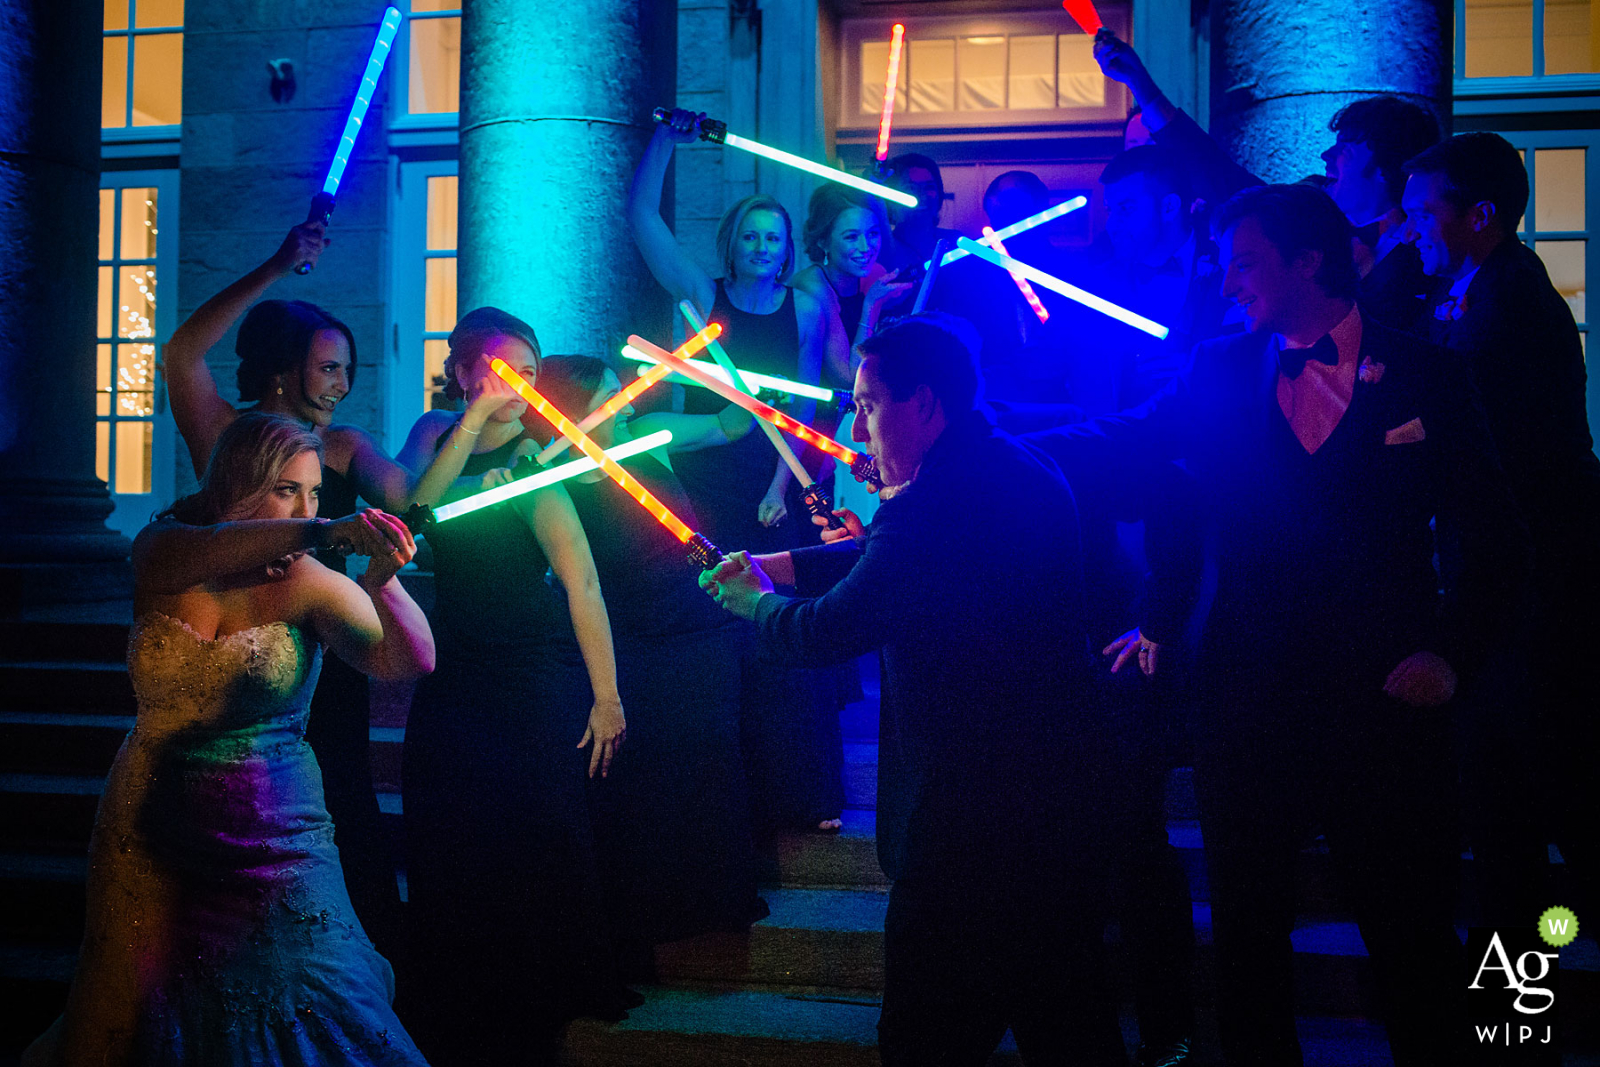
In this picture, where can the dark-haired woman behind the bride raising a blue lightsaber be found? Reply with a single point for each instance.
(298, 361)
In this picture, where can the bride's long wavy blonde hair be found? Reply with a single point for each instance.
(246, 466)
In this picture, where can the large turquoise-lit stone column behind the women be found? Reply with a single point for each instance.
(556, 105)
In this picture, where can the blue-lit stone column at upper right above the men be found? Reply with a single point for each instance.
(1281, 71)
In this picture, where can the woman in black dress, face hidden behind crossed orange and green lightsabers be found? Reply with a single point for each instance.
(673, 821)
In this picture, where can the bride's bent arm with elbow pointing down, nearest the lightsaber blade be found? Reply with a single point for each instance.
(372, 623)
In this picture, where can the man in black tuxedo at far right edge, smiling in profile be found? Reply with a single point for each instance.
(1518, 337)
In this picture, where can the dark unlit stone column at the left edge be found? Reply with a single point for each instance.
(55, 545)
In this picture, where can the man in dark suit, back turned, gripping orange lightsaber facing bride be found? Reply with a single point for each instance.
(993, 764)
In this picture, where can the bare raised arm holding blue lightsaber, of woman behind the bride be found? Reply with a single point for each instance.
(198, 407)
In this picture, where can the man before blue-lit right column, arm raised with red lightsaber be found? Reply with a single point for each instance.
(1374, 138)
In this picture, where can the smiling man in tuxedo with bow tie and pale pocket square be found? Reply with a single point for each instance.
(1324, 446)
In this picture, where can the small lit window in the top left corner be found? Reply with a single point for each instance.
(143, 65)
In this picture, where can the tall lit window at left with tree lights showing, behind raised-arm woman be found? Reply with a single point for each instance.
(127, 337)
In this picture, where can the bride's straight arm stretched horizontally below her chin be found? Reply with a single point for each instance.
(170, 557)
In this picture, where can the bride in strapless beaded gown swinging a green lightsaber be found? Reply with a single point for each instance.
(220, 930)
